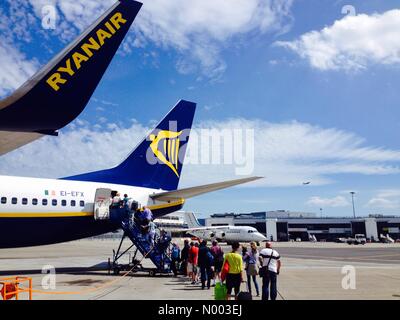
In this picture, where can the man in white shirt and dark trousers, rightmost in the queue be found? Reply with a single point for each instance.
(271, 263)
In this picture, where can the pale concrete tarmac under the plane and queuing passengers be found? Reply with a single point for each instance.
(329, 271)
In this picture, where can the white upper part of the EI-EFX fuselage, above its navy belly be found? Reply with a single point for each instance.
(27, 196)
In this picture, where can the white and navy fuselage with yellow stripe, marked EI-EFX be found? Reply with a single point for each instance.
(46, 211)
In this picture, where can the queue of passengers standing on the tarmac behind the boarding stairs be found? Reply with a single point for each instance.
(210, 266)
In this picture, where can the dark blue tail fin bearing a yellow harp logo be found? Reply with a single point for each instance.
(157, 161)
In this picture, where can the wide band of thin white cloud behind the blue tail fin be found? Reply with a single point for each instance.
(285, 154)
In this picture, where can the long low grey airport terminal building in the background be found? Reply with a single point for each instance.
(284, 225)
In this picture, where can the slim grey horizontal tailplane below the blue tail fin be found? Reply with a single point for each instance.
(195, 191)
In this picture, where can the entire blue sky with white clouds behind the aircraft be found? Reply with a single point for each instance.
(318, 87)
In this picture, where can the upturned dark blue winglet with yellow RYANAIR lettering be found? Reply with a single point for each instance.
(59, 92)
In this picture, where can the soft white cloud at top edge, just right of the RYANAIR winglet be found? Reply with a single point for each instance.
(200, 29)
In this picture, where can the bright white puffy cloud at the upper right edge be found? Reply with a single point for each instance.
(352, 43)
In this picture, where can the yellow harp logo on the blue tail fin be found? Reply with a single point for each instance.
(169, 143)
